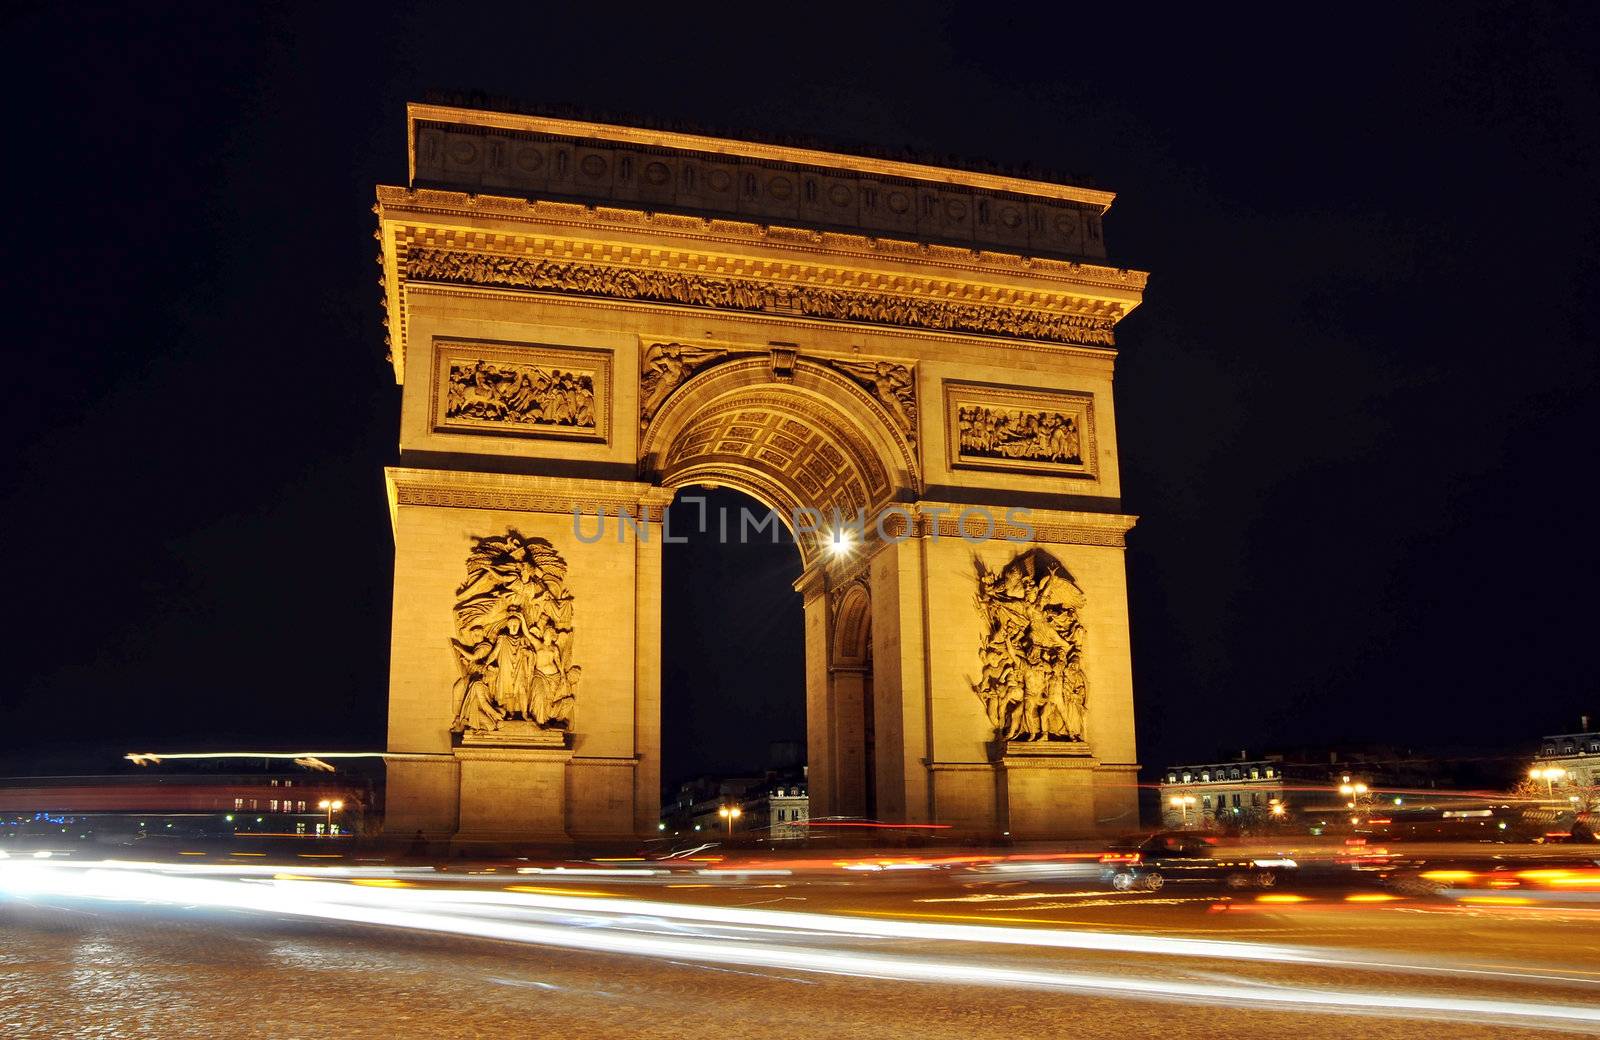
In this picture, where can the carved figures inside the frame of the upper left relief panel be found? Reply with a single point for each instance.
(521, 394)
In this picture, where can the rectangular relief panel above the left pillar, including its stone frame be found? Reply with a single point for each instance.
(508, 390)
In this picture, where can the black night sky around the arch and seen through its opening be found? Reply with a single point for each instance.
(1358, 410)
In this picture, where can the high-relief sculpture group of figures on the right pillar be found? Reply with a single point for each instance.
(1033, 682)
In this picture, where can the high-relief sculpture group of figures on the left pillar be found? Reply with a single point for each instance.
(514, 638)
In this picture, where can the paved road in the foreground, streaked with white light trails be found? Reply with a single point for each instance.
(954, 951)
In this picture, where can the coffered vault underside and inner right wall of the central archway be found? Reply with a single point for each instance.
(822, 455)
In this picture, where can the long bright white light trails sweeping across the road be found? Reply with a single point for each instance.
(614, 927)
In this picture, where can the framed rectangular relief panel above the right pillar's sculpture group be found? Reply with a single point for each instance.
(1041, 431)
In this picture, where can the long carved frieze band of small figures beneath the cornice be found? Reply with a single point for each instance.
(730, 294)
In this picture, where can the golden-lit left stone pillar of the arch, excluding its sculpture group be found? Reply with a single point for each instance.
(596, 780)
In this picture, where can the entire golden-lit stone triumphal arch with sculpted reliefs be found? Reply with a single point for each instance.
(910, 364)
